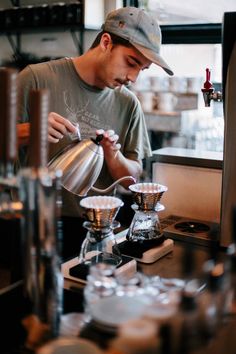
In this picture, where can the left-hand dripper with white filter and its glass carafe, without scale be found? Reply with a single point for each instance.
(100, 244)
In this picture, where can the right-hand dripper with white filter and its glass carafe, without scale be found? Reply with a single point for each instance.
(145, 225)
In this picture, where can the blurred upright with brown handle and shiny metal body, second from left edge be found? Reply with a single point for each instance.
(38, 190)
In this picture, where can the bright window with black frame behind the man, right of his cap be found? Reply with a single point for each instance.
(191, 32)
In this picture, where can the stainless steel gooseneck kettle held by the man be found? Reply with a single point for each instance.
(81, 163)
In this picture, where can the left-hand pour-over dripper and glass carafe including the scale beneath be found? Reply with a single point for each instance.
(100, 244)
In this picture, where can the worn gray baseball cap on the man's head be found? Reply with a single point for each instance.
(140, 29)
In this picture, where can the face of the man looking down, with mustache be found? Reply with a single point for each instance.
(121, 65)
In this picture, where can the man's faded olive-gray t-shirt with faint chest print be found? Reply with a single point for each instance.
(93, 108)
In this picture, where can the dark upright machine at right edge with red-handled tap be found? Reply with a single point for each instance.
(228, 192)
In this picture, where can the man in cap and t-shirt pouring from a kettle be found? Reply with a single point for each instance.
(91, 90)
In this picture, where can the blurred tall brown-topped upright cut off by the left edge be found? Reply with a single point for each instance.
(10, 255)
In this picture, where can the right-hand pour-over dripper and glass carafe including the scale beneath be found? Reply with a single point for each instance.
(145, 240)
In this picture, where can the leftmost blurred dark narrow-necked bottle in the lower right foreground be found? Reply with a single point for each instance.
(181, 334)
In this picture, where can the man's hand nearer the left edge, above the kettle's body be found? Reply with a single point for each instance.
(58, 127)
